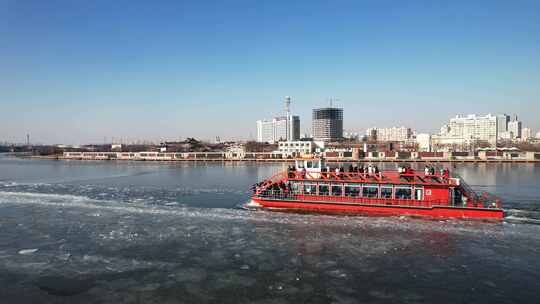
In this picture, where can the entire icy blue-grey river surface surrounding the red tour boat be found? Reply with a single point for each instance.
(120, 232)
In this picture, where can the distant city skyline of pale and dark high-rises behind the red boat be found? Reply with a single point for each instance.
(460, 133)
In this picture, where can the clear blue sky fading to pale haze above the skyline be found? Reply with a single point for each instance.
(79, 71)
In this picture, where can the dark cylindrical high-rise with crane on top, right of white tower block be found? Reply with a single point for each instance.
(327, 124)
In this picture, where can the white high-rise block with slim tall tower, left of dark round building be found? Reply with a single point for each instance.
(283, 128)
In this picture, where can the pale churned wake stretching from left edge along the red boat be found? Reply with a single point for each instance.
(86, 206)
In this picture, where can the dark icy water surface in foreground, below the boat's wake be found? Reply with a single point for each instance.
(87, 250)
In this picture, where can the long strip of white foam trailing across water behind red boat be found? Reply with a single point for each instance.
(74, 201)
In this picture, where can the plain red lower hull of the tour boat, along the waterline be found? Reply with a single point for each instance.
(433, 211)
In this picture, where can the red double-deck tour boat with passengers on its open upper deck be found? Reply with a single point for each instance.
(310, 185)
